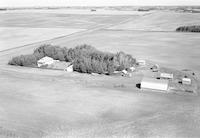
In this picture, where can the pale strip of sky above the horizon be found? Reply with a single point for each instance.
(30, 3)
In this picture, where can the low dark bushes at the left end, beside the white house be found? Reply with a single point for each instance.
(24, 60)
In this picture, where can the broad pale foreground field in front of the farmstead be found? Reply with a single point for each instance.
(49, 104)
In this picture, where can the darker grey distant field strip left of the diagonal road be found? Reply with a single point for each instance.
(57, 20)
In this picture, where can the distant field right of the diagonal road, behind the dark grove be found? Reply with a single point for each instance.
(161, 21)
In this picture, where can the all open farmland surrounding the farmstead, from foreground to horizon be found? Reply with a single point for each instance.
(38, 103)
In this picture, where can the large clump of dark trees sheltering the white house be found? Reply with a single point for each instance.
(85, 58)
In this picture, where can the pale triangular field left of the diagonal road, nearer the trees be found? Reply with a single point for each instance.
(18, 36)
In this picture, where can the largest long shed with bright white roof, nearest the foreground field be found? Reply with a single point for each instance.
(154, 84)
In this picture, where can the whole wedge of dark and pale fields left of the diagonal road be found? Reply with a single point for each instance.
(19, 28)
